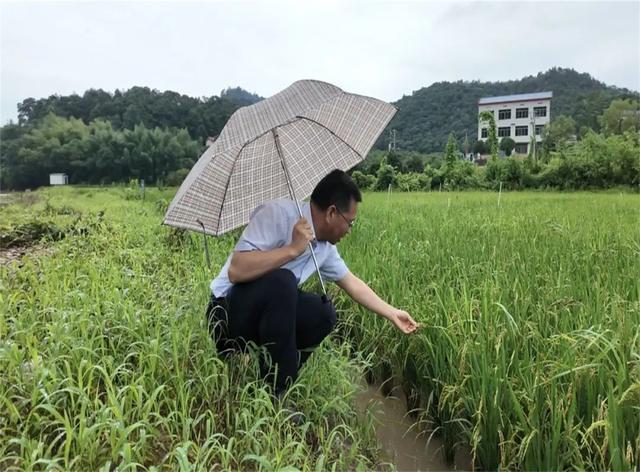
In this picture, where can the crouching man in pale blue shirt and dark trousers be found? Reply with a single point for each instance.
(256, 296)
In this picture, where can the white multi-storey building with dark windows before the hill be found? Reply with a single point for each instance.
(517, 116)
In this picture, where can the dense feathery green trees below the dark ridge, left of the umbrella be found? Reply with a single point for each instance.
(93, 153)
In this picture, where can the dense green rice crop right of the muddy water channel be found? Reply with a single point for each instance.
(531, 346)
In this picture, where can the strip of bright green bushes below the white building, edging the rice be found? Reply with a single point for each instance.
(595, 162)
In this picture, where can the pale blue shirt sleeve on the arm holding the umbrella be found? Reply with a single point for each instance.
(265, 231)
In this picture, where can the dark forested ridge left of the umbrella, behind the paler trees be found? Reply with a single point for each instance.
(201, 117)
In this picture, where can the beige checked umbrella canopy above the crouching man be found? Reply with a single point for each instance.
(277, 148)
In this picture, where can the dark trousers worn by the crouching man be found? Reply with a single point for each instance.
(272, 312)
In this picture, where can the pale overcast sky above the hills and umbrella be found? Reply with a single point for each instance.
(384, 49)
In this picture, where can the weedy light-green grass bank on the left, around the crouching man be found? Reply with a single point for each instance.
(107, 363)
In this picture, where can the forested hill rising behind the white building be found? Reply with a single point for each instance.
(427, 116)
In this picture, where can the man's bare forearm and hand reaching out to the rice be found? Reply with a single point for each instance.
(365, 296)
